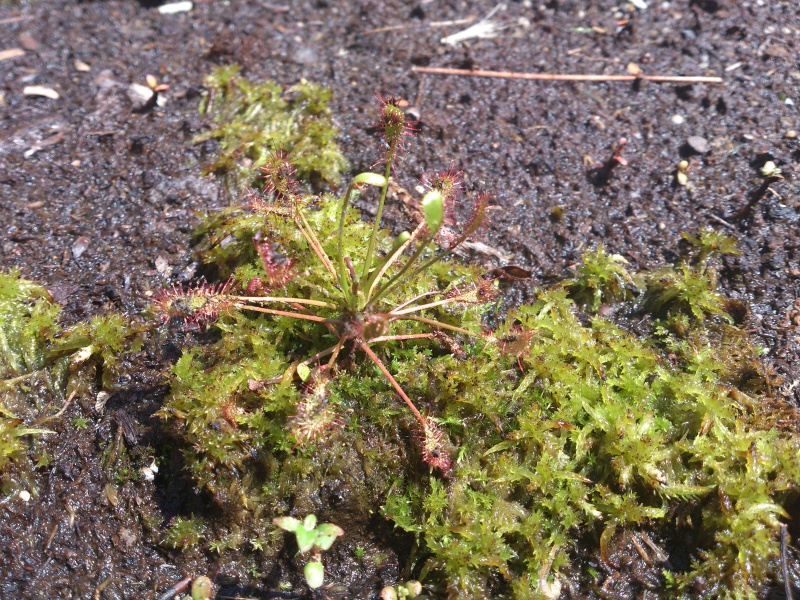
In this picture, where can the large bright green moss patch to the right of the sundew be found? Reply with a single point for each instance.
(599, 433)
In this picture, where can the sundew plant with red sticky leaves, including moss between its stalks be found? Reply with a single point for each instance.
(345, 282)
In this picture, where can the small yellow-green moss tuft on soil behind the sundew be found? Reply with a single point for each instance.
(254, 119)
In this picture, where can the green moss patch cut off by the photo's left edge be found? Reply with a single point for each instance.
(42, 365)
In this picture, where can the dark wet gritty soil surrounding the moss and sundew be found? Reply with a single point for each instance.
(99, 194)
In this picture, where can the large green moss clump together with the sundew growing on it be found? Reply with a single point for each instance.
(558, 440)
